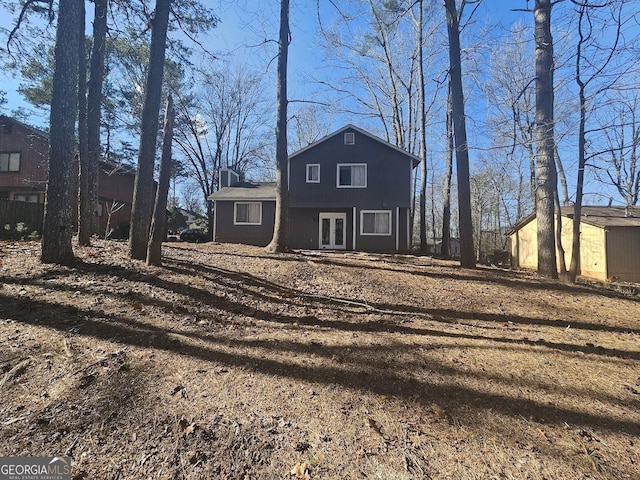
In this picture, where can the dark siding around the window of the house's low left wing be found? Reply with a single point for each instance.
(259, 235)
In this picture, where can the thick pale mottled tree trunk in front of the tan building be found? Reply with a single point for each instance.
(545, 169)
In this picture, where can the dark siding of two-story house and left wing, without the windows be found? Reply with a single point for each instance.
(388, 188)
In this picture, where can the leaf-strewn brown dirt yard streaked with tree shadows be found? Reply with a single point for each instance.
(232, 363)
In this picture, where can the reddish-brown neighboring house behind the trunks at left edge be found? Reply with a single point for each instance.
(23, 174)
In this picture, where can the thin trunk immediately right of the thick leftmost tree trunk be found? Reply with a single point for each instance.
(84, 234)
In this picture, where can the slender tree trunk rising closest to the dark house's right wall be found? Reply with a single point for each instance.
(423, 132)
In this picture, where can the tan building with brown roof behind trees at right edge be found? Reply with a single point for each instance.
(609, 240)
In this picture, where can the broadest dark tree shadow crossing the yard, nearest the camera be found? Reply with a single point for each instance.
(387, 382)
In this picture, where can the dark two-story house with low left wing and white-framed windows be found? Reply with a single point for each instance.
(348, 191)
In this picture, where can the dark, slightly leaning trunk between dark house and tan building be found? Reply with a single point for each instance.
(467, 256)
